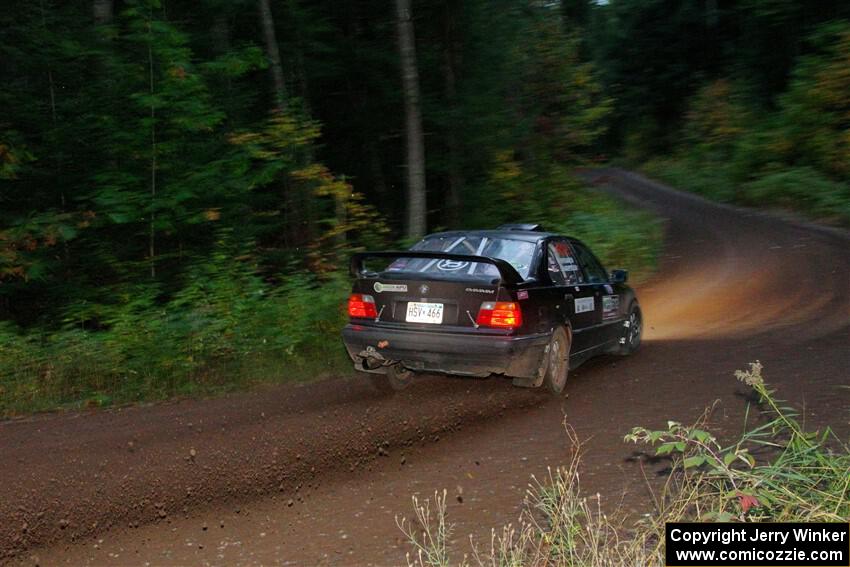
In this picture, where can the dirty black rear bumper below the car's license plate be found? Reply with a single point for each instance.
(453, 353)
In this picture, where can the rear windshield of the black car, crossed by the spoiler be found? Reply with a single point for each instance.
(517, 253)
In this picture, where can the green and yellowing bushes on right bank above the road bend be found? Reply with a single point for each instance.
(795, 158)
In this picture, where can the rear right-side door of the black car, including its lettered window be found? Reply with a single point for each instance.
(582, 299)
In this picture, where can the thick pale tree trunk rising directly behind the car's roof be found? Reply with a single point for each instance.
(416, 199)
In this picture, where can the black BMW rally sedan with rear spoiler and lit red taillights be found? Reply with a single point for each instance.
(515, 301)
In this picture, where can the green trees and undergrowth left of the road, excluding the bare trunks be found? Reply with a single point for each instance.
(165, 231)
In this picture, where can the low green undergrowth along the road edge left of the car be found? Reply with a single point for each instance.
(224, 330)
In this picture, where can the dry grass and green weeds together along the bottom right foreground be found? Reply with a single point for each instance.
(775, 472)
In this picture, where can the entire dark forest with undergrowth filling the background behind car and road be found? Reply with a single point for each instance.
(181, 183)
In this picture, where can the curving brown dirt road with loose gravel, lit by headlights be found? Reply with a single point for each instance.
(316, 474)
